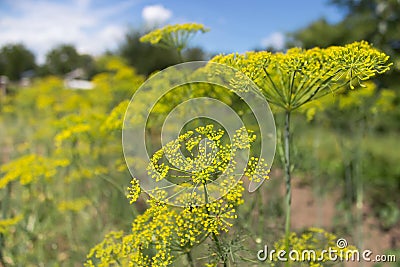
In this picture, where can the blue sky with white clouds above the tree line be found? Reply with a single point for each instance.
(95, 26)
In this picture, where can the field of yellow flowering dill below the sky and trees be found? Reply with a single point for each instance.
(68, 197)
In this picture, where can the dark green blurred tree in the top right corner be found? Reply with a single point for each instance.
(376, 21)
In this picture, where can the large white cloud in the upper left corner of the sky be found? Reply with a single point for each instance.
(43, 24)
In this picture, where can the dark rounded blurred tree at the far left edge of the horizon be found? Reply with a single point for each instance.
(14, 60)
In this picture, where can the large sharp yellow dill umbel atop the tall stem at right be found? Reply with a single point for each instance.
(292, 79)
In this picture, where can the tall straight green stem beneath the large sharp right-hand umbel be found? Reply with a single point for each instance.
(288, 198)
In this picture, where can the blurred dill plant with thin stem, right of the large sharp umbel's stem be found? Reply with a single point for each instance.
(356, 112)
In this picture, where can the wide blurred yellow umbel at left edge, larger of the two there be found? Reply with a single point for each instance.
(29, 169)
